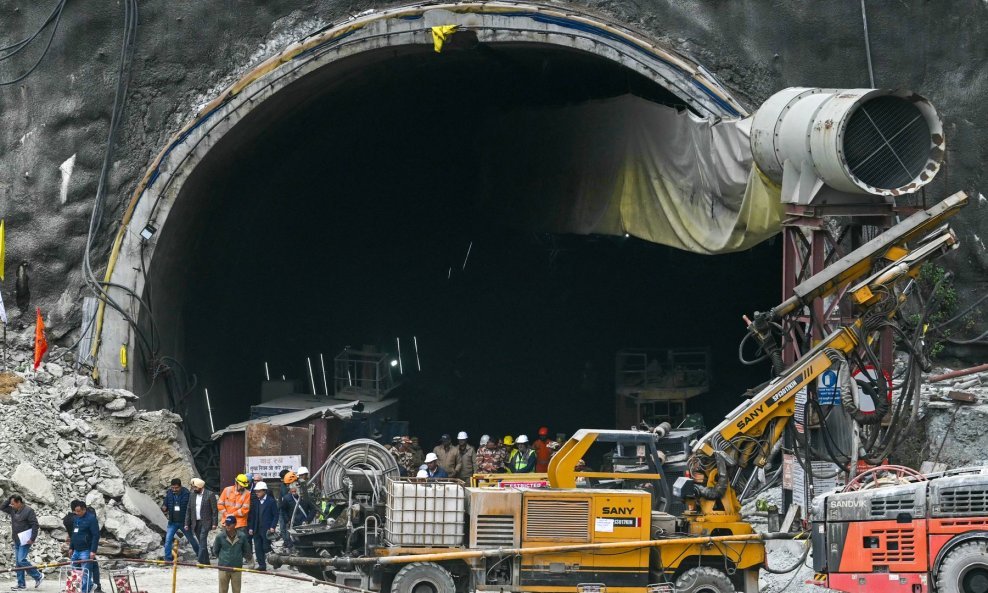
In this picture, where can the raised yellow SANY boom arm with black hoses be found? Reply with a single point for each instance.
(874, 276)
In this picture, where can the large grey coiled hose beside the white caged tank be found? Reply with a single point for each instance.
(367, 457)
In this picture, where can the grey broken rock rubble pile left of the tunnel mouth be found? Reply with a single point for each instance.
(62, 438)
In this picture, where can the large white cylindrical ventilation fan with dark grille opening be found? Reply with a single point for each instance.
(859, 141)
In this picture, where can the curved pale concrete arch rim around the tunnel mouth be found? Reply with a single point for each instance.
(492, 23)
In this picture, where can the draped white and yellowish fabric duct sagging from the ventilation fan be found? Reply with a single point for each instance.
(627, 165)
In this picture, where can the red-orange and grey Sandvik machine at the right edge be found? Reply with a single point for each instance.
(904, 533)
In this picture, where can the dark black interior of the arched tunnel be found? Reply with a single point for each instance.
(343, 212)
